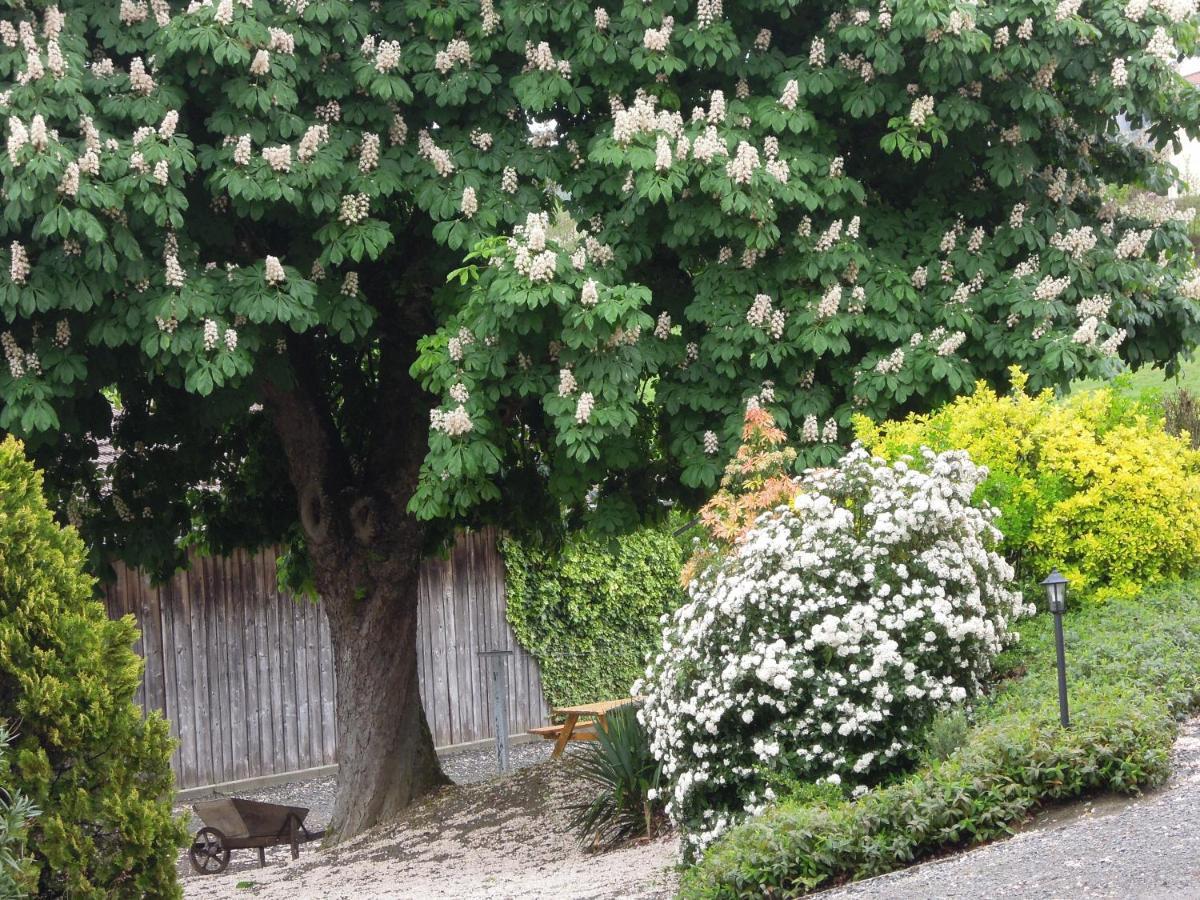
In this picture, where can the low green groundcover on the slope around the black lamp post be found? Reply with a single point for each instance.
(1135, 669)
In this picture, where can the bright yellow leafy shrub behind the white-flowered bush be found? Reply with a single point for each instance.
(1091, 484)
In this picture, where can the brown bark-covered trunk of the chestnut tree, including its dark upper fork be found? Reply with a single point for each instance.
(367, 554)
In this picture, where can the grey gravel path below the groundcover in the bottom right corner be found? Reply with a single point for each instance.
(1145, 848)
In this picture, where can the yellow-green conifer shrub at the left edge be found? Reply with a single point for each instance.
(83, 753)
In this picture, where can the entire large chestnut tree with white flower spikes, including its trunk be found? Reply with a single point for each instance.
(227, 230)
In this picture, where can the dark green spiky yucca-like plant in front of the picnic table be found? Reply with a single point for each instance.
(620, 763)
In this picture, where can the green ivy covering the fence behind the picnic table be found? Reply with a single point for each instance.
(590, 610)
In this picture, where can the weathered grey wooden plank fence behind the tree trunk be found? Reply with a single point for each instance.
(245, 675)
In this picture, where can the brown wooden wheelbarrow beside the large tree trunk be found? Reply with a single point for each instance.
(236, 824)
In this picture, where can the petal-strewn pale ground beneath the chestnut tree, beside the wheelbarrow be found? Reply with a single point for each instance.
(503, 838)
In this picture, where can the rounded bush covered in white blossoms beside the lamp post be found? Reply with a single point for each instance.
(824, 643)
